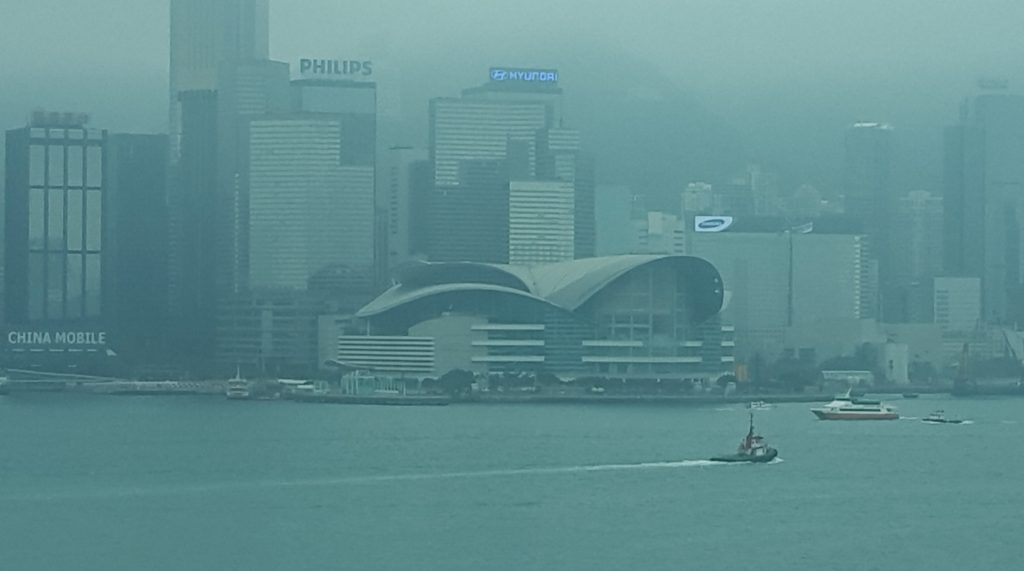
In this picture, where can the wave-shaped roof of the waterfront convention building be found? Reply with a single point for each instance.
(565, 285)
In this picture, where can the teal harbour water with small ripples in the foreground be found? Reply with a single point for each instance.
(201, 484)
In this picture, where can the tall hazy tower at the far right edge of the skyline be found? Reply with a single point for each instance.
(985, 201)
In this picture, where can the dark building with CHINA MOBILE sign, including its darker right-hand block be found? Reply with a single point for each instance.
(84, 245)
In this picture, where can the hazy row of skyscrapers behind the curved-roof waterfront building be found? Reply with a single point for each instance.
(281, 203)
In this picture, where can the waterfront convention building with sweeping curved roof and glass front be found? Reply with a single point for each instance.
(622, 316)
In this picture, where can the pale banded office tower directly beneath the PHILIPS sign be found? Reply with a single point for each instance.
(308, 179)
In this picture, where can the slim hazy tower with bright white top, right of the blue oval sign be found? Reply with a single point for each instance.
(868, 188)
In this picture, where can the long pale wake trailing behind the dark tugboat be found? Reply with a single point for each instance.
(138, 492)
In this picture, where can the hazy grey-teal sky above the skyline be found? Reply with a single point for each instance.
(782, 77)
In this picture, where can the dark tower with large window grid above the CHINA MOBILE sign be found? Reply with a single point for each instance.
(55, 223)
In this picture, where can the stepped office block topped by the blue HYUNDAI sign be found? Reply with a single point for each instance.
(510, 184)
